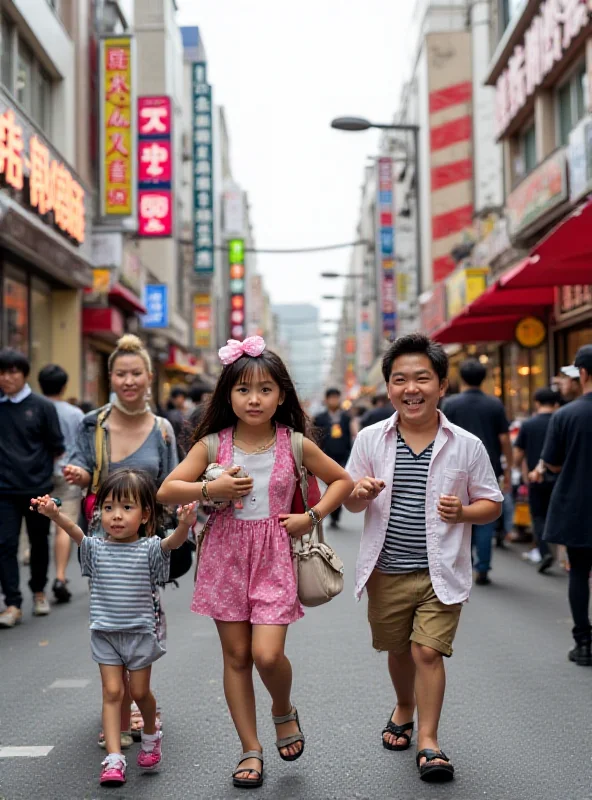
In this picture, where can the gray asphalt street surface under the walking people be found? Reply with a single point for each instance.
(516, 720)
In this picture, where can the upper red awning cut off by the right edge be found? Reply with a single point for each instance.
(563, 257)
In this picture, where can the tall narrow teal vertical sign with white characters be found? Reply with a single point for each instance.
(203, 189)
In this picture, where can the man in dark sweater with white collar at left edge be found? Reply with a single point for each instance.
(30, 442)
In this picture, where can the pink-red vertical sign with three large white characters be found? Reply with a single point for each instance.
(155, 167)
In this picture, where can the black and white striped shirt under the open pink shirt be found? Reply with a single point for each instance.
(405, 546)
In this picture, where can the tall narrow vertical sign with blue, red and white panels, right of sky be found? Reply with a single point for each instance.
(386, 247)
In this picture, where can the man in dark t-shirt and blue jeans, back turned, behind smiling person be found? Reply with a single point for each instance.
(485, 417)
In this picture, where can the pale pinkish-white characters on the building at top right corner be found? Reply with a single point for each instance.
(545, 43)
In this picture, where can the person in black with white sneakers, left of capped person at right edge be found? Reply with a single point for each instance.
(527, 453)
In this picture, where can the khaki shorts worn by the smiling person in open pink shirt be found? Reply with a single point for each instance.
(404, 608)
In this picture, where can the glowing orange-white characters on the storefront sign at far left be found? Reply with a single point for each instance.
(54, 193)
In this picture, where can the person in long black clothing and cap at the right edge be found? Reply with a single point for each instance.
(568, 453)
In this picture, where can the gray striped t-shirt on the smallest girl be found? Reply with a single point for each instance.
(123, 576)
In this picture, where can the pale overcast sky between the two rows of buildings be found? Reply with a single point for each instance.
(282, 71)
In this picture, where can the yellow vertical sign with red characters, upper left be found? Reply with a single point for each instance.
(116, 127)
